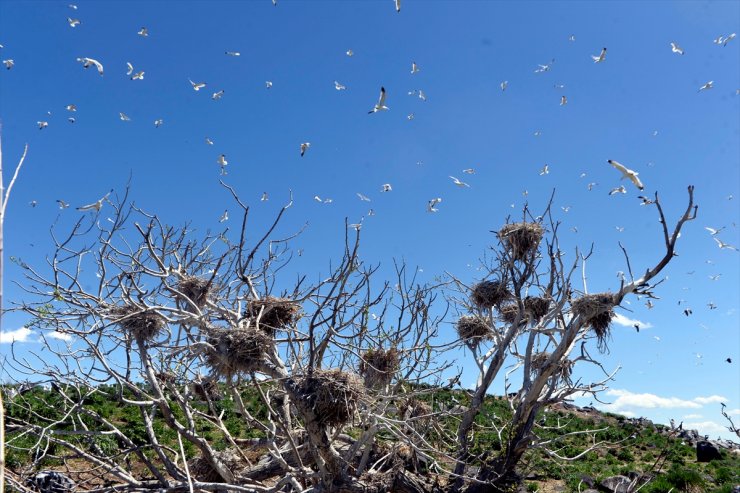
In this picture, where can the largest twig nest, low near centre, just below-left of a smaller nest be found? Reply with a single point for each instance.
(330, 397)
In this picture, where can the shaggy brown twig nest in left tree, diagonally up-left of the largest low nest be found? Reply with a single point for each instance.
(237, 350)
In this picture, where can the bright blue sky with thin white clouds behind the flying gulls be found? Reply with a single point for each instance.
(641, 107)
